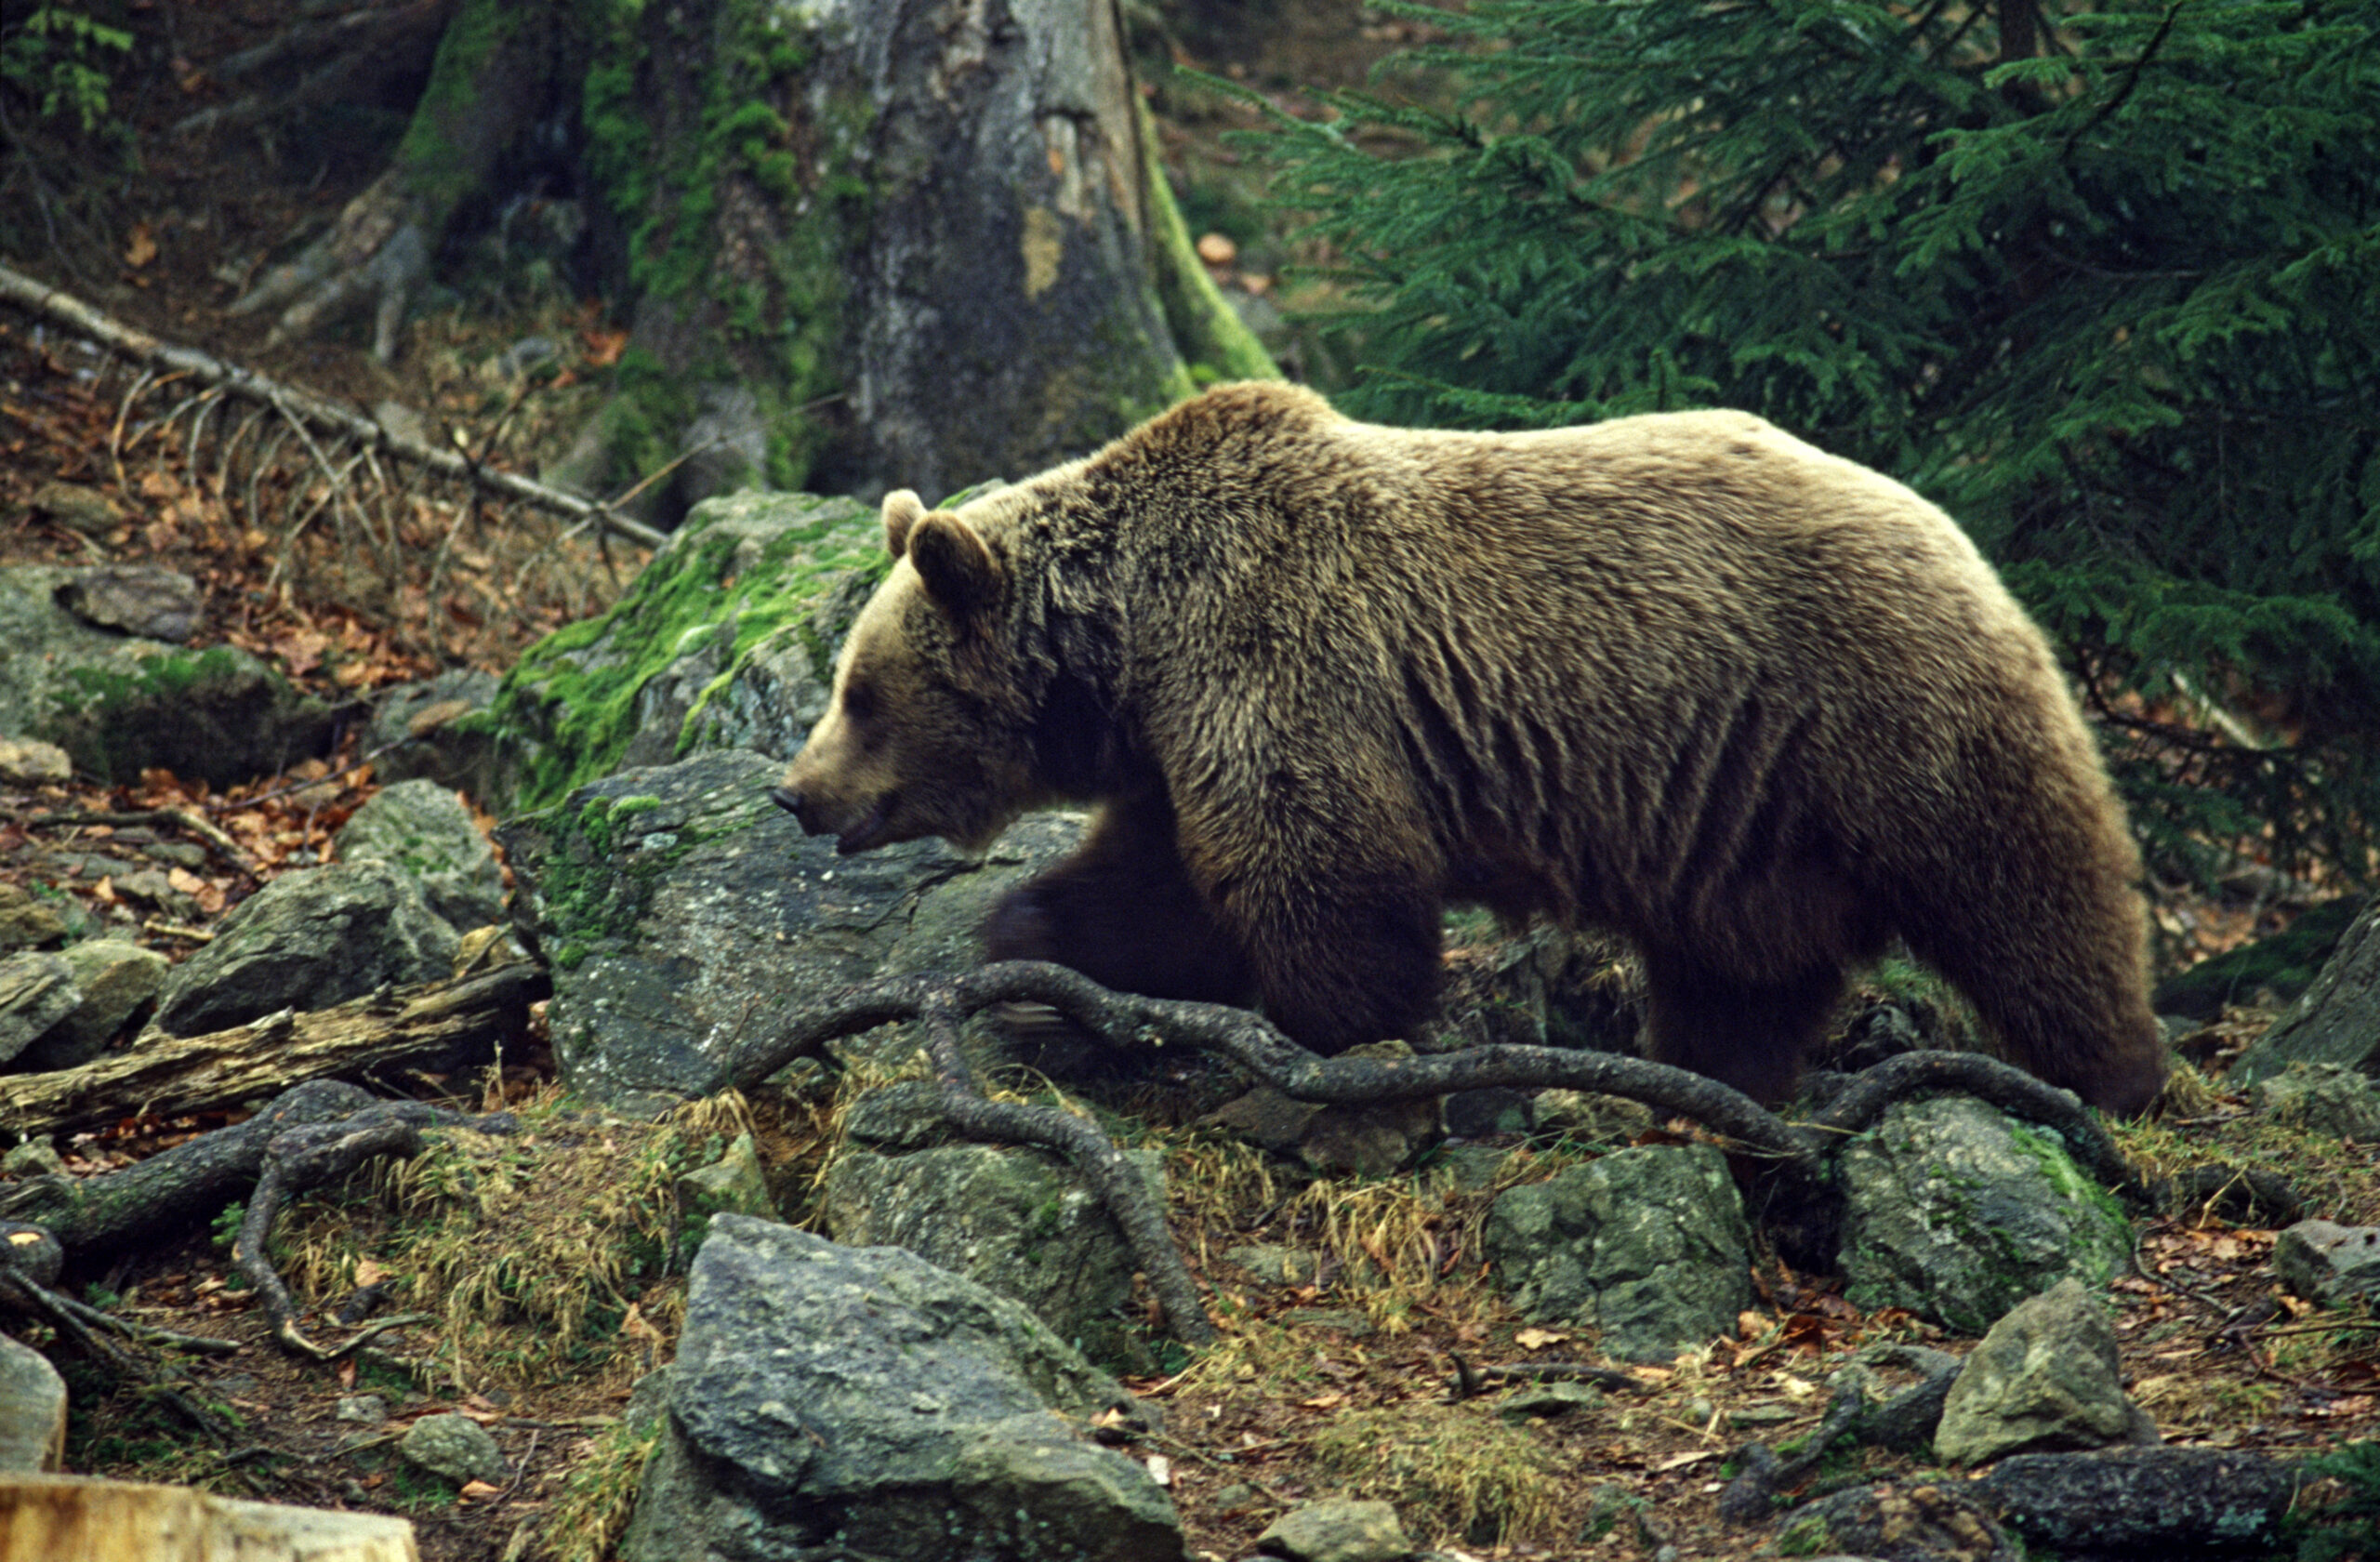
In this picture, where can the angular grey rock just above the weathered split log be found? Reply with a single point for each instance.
(308, 942)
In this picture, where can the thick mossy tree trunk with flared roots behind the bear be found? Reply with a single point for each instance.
(863, 244)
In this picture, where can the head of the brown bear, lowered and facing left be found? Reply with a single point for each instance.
(929, 730)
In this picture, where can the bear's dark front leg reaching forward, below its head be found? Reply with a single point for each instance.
(1125, 913)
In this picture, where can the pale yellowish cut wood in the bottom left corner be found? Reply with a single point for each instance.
(94, 1520)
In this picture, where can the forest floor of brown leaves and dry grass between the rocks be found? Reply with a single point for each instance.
(1336, 1387)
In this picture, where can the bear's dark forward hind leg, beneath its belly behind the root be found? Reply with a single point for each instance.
(1736, 1032)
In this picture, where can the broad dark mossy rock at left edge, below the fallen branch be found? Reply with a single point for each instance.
(123, 704)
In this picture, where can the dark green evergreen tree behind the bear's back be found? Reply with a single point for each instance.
(2103, 277)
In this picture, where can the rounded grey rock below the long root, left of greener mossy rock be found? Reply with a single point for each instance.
(1648, 1247)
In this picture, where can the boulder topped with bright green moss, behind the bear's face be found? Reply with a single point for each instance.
(727, 639)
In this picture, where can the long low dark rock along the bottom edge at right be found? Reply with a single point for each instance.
(2143, 1501)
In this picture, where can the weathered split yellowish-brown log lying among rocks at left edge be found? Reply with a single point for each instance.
(168, 1075)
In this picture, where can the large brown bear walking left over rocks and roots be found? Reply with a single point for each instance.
(1677, 675)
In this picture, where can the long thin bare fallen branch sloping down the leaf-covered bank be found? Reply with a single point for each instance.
(303, 406)
